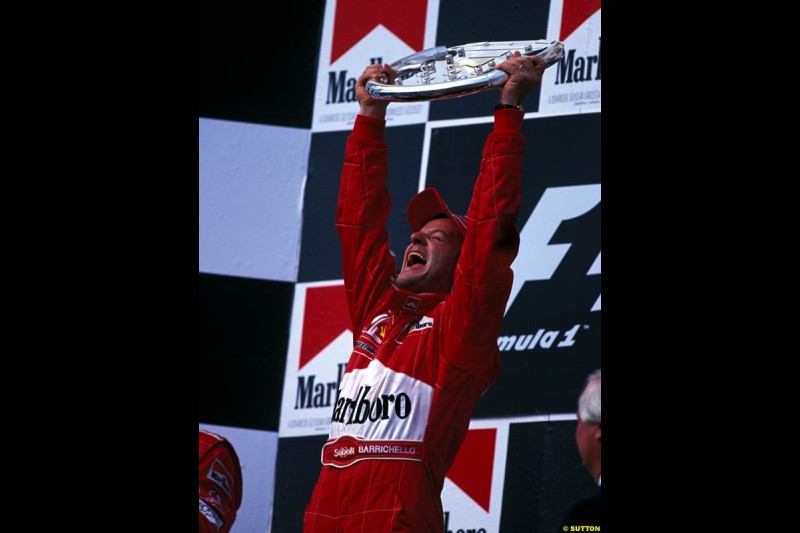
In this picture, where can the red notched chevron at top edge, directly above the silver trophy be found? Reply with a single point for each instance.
(356, 18)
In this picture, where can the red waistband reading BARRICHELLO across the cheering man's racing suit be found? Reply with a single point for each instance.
(347, 450)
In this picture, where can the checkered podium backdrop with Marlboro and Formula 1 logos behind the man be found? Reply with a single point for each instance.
(274, 334)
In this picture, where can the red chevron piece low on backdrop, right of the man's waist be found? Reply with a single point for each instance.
(473, 466)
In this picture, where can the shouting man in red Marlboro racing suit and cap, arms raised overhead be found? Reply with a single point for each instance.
(425, 345)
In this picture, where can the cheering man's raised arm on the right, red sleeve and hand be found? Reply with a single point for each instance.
(483, 275)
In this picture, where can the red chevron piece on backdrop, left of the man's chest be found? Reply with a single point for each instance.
(325, 318)
